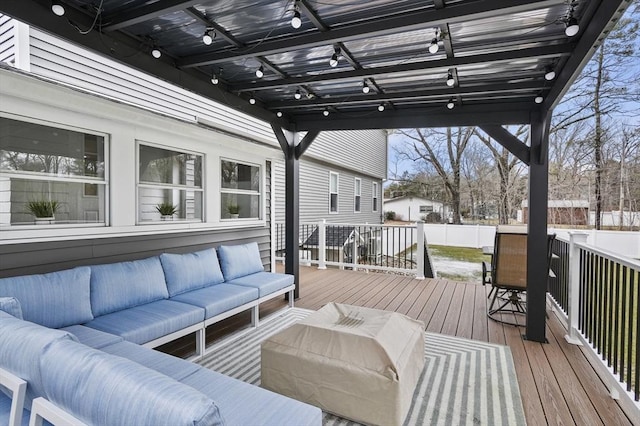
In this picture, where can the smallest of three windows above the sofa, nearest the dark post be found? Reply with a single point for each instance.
(240, 190)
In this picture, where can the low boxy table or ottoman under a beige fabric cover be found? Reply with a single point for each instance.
(359, 363)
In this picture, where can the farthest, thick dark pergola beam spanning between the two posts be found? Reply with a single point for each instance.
(439, 116)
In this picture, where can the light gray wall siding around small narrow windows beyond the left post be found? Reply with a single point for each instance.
(314, 194)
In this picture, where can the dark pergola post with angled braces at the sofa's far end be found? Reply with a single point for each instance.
(292, 151)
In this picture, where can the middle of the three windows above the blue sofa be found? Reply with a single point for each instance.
(169, 185)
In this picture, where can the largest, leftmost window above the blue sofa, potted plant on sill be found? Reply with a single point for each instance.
(51, 175)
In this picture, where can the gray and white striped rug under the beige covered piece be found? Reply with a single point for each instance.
(464, 382)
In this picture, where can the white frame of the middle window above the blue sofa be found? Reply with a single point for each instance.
(167, 185)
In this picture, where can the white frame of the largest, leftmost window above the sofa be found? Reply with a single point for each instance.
(33, 176)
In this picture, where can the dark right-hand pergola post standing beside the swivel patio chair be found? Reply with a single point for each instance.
(537, 266)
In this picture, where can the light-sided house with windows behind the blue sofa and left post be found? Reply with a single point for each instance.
(111, 144)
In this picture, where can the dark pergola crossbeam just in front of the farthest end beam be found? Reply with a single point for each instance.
(431, 93)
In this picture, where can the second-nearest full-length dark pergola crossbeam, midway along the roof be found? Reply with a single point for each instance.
(533, 52)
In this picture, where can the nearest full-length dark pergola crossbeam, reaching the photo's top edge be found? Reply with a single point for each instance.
(408, 21)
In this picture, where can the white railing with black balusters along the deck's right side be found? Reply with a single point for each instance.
(596, 293)
